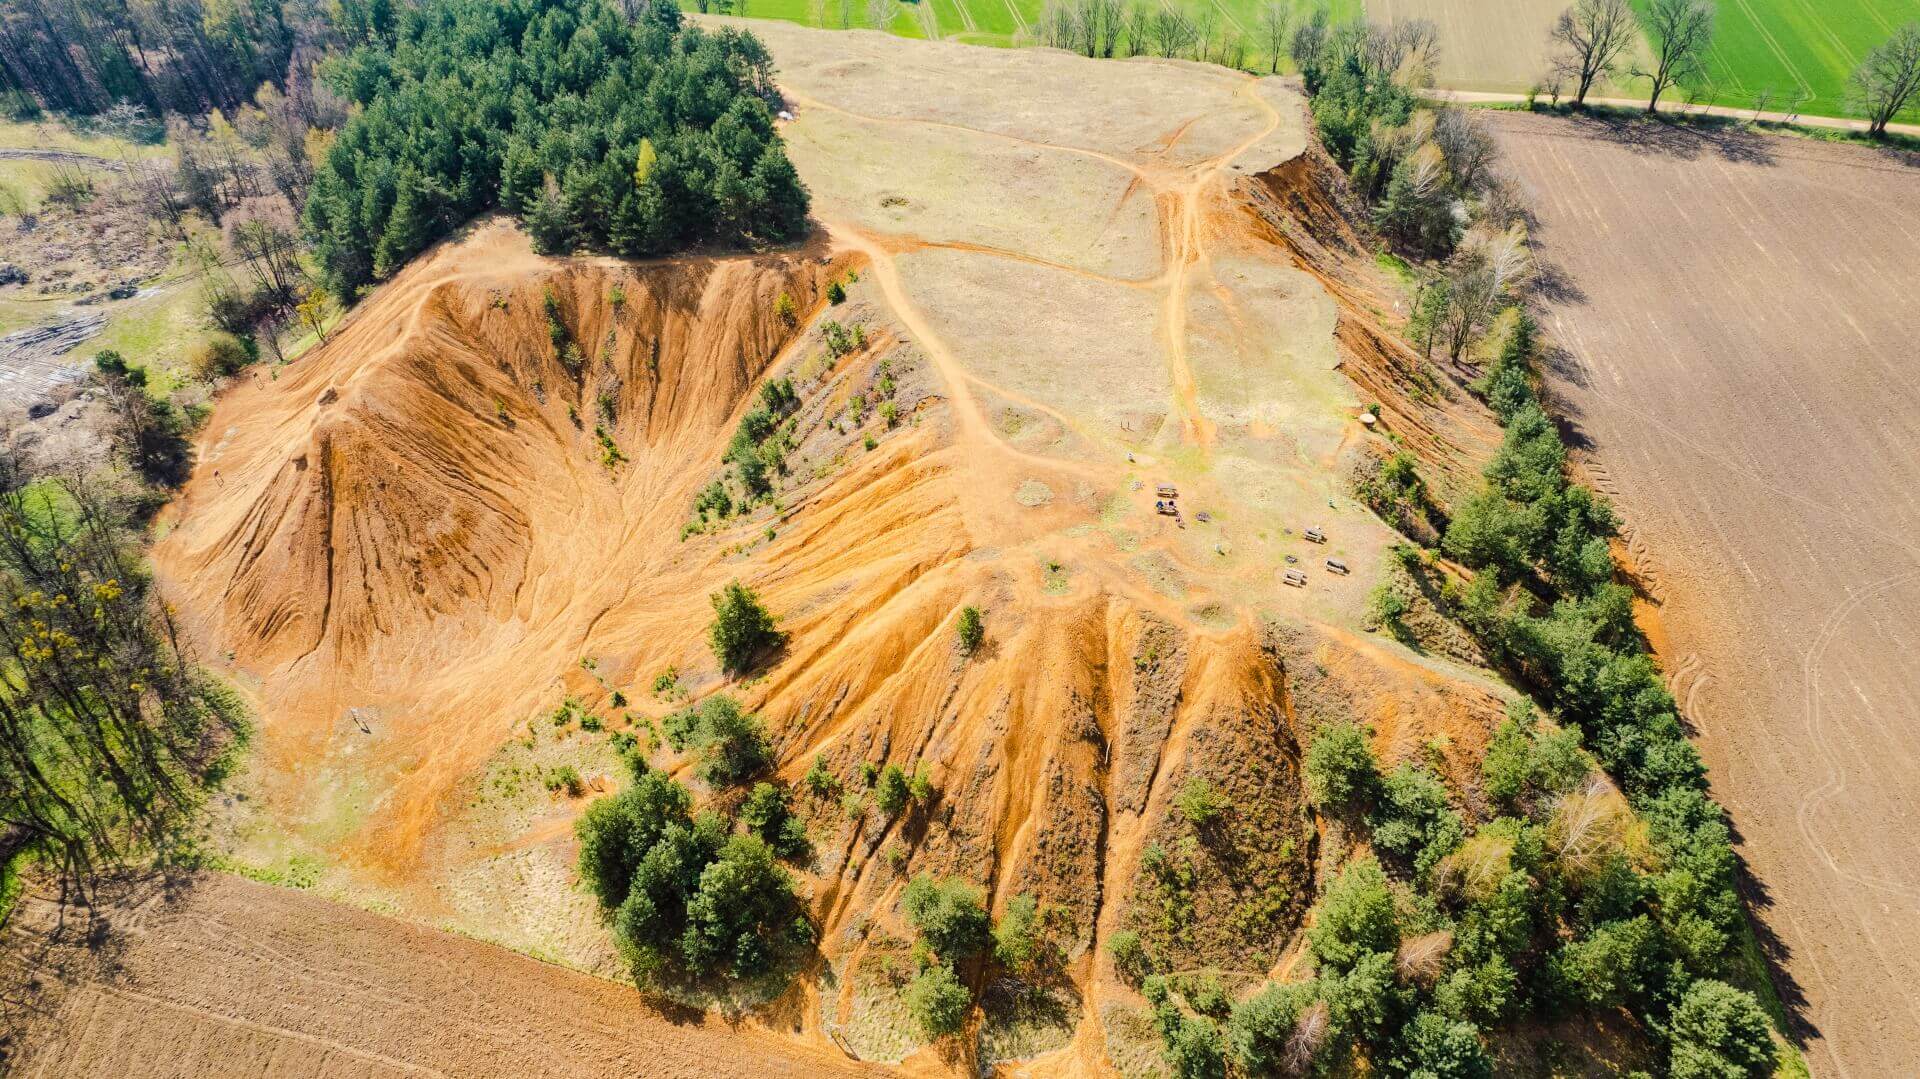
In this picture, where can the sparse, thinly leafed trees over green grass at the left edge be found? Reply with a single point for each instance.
(110, 734)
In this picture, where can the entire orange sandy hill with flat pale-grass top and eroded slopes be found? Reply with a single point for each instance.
(1120, 276)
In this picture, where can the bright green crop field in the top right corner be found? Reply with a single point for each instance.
(1800, 53)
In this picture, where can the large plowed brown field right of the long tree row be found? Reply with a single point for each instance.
(1740, 318)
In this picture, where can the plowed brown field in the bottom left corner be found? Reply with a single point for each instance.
(241, 978)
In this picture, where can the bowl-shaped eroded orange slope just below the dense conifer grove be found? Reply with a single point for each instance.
(416, 527)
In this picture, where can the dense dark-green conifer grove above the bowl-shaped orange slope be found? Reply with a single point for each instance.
(635, 135)
